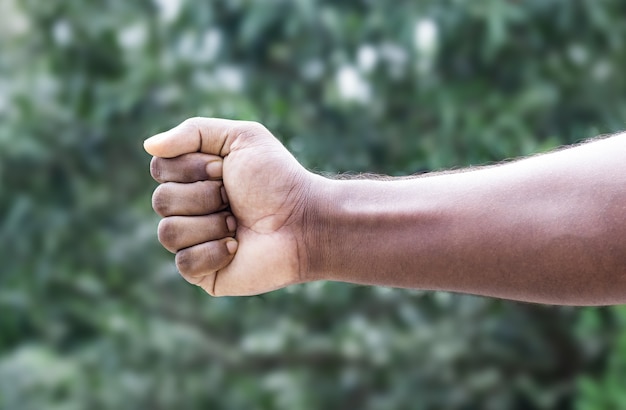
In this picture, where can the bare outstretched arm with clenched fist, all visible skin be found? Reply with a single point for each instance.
(244, 217)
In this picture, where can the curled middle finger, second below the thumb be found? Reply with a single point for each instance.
(197, 198)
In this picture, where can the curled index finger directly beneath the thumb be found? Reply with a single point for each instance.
(186, 168)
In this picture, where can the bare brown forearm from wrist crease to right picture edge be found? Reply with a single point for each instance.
(549, 229)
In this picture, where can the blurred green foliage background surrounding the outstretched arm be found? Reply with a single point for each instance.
(92, 312)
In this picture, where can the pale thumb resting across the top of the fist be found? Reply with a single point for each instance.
(208, 135)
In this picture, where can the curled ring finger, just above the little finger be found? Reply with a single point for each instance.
(180, 232)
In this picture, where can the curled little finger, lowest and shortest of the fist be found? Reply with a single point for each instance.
(205, 259)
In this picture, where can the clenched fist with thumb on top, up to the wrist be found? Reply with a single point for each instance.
(234, 203)
